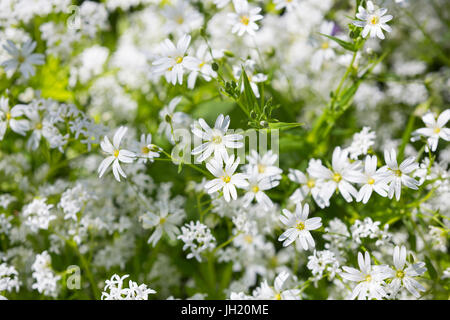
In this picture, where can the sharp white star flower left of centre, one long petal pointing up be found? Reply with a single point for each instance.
(117, 155)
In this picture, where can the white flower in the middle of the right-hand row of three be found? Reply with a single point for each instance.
(373, 180)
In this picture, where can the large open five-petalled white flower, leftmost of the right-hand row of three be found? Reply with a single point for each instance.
(340, 177)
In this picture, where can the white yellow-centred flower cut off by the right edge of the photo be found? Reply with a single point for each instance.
(435, 129)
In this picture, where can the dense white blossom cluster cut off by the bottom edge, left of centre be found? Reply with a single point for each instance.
(118, 292)
